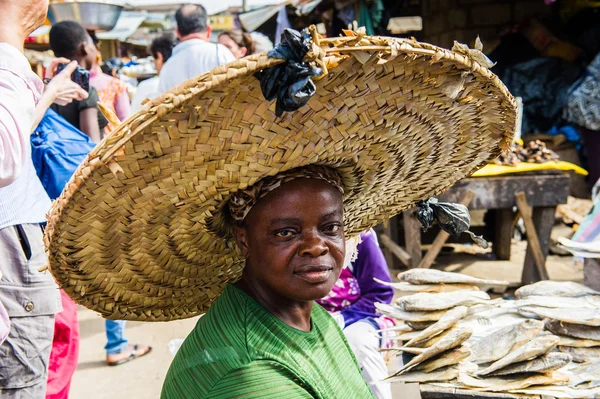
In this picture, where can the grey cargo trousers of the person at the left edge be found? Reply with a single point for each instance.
(31, 299)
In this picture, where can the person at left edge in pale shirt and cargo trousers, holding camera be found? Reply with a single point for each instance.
(31, 298)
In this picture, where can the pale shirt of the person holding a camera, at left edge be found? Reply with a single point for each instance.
(22, 197)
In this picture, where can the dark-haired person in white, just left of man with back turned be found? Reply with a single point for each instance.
(161, 50)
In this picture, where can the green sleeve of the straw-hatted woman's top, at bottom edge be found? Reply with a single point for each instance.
(260, 379)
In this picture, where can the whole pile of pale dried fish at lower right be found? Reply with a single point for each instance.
(549, 328)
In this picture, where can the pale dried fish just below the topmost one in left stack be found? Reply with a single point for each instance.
(441, 301)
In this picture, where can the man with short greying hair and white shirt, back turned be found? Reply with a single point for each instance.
(195, 54)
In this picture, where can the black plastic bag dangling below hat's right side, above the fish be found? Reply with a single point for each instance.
(452, 218)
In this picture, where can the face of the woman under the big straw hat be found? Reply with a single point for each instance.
(293, 240)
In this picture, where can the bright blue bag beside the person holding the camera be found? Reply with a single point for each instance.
(57, 149)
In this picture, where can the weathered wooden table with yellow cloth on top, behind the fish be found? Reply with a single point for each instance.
(544, 191)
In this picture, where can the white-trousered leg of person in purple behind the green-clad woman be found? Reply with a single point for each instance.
(364, 341)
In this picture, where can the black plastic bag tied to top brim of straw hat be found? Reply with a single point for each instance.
(290, 83)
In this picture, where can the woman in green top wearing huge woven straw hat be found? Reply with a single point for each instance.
(214, 199)
